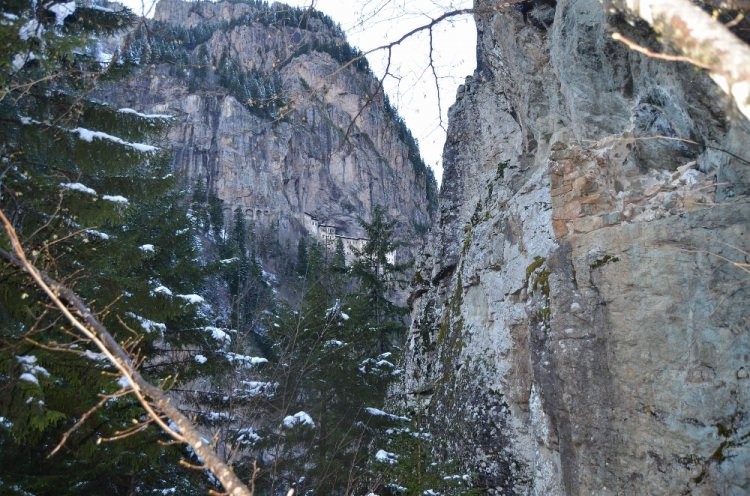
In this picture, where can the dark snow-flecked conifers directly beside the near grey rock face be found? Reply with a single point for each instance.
(335, 353)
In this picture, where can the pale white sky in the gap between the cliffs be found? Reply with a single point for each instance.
(411, 85)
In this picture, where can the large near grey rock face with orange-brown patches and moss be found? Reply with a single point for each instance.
(580, 318)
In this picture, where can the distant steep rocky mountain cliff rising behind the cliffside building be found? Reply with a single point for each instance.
(267, 114)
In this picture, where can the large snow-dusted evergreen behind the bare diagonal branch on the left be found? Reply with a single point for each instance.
(95, 208)
